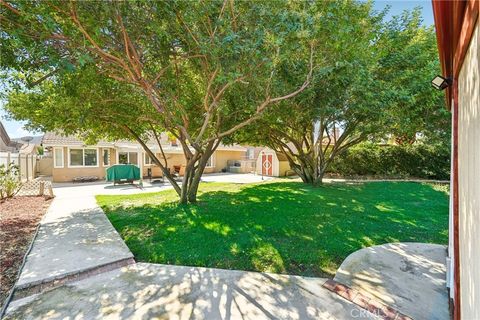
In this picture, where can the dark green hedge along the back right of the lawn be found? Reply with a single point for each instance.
(393, 161)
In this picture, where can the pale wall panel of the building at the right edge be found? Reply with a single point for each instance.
(469, 179)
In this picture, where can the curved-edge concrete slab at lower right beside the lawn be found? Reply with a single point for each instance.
(409, 277)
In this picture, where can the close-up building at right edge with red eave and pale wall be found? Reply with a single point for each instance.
(458, 35)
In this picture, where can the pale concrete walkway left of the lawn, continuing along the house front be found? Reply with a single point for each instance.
(75, 236)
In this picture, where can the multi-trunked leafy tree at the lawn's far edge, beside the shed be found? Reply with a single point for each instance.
(371, 82)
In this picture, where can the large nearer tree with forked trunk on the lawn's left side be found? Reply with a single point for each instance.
(198, 70)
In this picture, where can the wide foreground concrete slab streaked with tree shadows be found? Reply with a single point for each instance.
(152, 291)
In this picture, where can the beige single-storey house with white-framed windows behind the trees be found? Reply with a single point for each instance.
(73, 158)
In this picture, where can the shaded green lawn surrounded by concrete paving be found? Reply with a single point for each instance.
(283, 227)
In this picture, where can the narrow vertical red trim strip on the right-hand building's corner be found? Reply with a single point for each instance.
(456, 238)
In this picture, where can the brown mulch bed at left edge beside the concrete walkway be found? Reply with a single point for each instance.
(19, 218)
